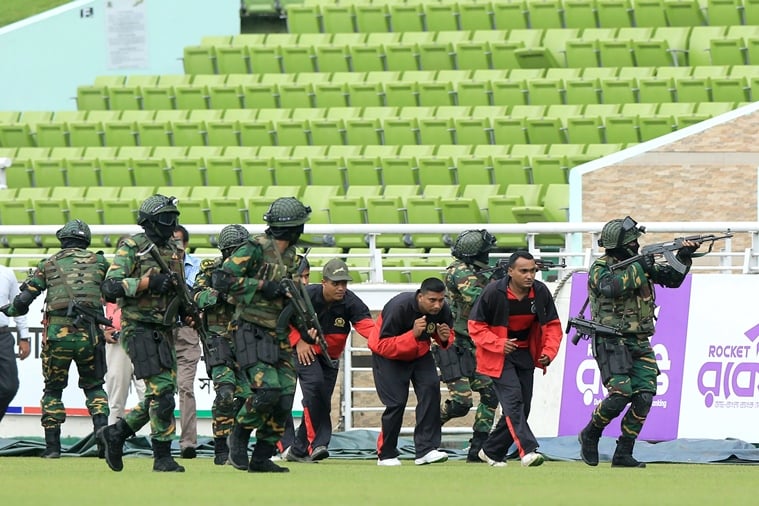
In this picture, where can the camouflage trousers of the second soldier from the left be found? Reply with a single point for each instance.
(157, 407)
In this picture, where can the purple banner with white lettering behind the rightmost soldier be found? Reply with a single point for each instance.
(582, 389)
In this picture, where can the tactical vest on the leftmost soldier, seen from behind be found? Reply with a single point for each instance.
(80, 271)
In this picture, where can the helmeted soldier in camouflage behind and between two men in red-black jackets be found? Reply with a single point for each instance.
(464, 281)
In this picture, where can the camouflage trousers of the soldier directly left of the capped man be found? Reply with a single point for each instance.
(272, 391)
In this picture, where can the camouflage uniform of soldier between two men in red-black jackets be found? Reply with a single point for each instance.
(463, 286)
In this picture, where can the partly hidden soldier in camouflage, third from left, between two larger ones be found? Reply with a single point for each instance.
(219, 351)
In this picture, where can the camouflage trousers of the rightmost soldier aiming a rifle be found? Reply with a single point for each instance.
(623, 388)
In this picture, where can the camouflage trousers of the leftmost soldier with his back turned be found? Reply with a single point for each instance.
(65, 344)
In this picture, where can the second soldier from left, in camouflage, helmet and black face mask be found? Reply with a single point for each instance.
(149, 311)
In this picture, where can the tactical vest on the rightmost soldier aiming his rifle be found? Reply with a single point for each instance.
(630, 314)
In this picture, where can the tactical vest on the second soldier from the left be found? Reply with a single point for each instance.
(160, 308)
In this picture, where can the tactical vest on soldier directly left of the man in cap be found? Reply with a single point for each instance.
(274, 267)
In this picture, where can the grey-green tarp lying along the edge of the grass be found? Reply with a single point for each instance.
(361, 444)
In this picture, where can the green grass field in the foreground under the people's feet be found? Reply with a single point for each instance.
(31, 480)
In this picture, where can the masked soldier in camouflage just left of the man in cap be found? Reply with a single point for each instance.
(252, 275)
